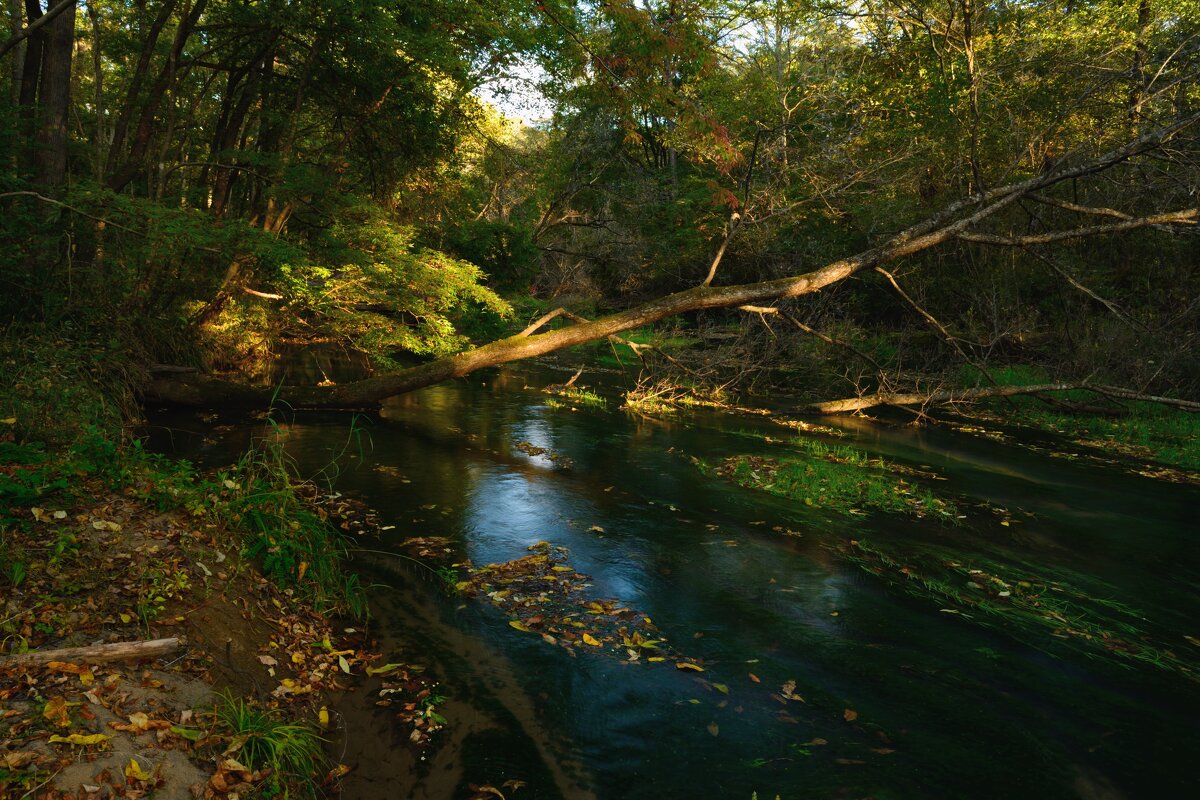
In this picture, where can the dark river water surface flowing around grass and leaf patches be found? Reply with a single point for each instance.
(945, 708)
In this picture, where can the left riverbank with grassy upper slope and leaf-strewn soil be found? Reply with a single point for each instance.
(237, 575)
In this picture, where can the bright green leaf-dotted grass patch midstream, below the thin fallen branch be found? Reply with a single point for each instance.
(836, 478)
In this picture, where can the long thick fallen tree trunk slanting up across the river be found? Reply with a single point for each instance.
(953, 222)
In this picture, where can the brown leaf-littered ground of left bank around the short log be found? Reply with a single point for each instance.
(241, 706)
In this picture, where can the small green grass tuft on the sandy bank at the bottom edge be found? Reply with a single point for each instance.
(292, 751)
